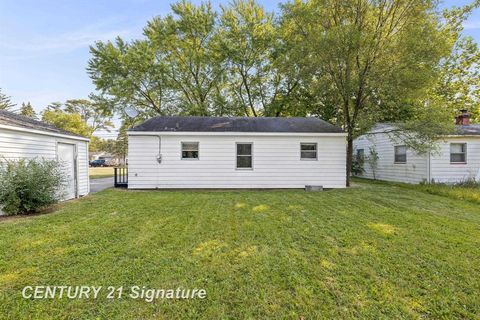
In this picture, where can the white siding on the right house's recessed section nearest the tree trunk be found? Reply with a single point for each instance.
(413, 171)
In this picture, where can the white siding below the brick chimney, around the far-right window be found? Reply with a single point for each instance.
(444, 171)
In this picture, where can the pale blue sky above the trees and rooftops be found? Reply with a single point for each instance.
(44, 45)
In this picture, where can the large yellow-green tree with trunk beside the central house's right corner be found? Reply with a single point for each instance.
(369, 60)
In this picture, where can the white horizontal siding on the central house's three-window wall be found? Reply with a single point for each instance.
(276, 162)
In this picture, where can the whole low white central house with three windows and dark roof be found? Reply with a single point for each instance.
(224, 152)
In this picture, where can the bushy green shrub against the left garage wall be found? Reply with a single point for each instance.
(29, 185)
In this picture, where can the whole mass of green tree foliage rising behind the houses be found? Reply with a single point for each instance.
(382, 61)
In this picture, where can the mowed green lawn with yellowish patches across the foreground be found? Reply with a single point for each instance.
(373, 251)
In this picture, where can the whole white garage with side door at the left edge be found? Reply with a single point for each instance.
(23, 137)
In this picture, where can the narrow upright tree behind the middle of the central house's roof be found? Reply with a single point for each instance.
(247, 41)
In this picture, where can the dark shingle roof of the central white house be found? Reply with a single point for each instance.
(237, 124)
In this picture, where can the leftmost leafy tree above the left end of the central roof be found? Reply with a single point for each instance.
(130, 75)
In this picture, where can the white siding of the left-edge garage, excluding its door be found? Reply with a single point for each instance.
(17, 144)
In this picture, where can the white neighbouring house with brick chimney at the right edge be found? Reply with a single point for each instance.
(457, 158)
